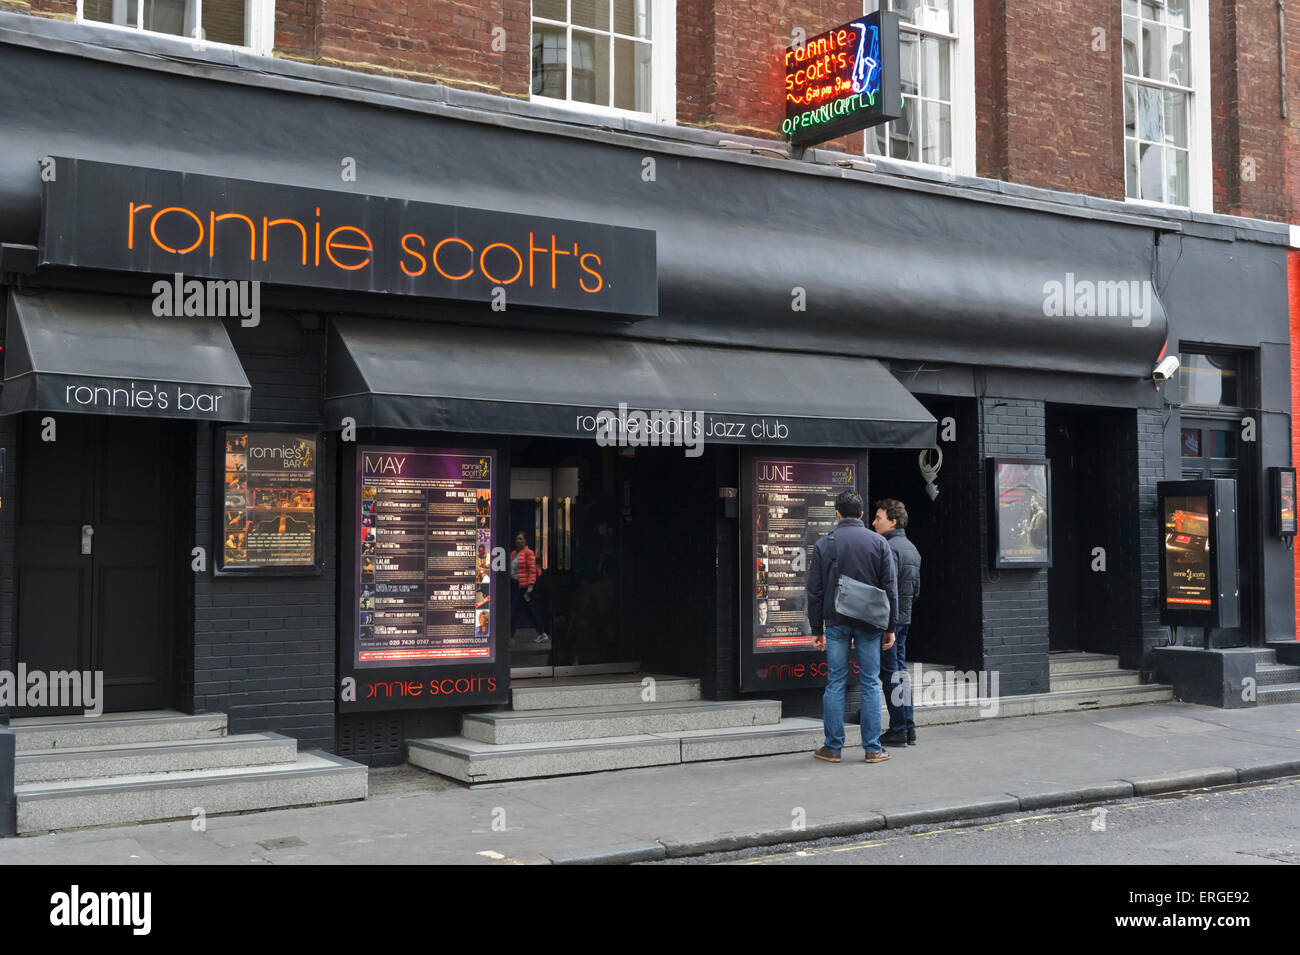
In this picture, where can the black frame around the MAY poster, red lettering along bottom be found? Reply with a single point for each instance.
(492, 680)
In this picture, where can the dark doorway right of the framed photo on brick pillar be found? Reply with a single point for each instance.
(1094, 587)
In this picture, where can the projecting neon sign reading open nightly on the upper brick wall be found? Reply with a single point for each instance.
(843, 81)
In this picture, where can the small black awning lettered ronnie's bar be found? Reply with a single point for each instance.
(110, 355)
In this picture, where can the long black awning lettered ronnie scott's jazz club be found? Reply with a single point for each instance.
(500, 381)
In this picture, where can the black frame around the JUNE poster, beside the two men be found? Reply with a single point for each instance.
(799, 665)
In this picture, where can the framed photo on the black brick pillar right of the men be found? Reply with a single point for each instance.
(1020, 513)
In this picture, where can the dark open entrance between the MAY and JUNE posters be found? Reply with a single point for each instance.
(623, 544)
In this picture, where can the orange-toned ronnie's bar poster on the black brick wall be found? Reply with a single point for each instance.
(268, 501)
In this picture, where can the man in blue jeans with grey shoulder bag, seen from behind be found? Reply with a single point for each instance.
(863, 555)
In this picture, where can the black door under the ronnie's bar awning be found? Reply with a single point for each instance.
(107, 487)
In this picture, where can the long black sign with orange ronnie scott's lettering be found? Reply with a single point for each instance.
(103, 216)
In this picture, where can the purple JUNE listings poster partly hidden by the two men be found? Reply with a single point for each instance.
(794, 507)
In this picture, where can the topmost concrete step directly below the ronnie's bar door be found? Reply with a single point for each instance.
(79, 732)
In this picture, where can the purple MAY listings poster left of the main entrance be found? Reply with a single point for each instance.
(424, 576)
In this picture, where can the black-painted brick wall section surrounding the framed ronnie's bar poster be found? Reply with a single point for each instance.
(265, 646)
